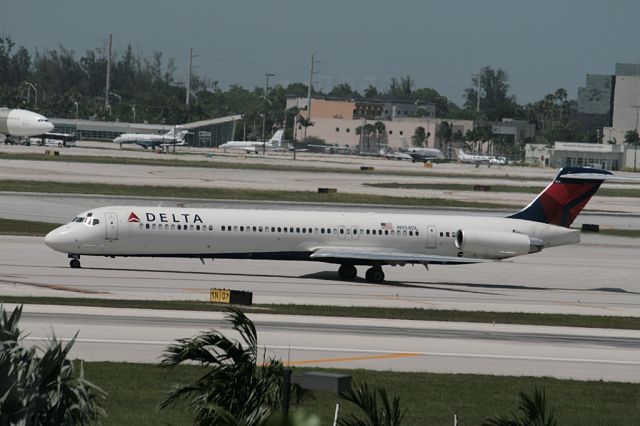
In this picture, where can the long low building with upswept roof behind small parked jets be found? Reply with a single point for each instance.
(204, 134)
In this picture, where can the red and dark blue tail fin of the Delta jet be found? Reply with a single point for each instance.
(564, 198)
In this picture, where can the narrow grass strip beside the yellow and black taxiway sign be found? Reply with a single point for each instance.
(590, 321)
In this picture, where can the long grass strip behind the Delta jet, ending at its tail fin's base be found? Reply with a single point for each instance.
(233, 194)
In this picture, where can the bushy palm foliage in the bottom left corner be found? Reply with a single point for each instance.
(44, 389)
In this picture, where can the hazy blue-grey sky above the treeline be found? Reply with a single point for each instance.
(543, 45)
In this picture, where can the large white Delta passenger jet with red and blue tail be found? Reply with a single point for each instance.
(348, 239)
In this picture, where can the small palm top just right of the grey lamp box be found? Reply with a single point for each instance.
(377, 413)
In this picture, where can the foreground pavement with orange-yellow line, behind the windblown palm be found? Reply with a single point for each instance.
(142, 335)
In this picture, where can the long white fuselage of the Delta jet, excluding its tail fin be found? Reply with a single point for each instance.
(295, 235)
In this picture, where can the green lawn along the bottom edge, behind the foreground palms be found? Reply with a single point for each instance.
(136, 390)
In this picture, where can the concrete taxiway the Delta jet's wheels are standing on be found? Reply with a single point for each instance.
(598, 276)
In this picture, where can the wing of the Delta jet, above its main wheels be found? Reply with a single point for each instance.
(391, 257)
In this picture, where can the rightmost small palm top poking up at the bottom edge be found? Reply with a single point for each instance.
(534, 412)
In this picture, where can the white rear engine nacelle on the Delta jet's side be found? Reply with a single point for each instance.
(495, 244)
